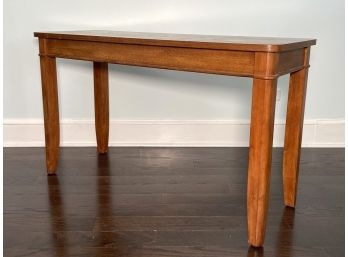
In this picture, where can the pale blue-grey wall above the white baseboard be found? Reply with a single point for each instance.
(142, 93)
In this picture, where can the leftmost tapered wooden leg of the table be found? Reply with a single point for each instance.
(51, 111)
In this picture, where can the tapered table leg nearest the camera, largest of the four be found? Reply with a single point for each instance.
(260, 157)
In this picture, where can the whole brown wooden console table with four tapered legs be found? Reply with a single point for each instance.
(263, 59)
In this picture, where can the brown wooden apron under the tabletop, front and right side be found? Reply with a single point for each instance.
(225, 62)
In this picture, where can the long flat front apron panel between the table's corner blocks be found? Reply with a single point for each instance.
(206, 60)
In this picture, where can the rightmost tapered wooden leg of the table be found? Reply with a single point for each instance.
(293, 134)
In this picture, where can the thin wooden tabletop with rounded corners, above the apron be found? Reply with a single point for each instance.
(238, 43)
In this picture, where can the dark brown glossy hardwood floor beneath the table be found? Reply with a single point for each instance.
(165, 202)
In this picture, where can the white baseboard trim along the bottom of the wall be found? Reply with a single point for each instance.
(25, 133)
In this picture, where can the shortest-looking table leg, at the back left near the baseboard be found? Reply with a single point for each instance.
(101, 105)
